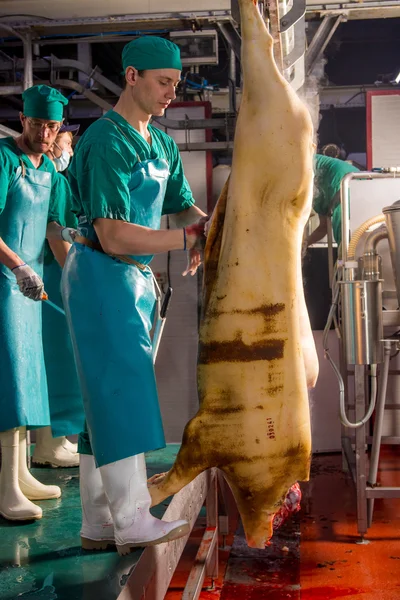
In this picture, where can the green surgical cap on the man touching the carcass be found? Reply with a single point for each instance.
(150, 52)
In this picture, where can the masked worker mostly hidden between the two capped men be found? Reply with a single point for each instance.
(65, 401)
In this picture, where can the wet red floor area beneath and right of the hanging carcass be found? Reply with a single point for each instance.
(316, 556)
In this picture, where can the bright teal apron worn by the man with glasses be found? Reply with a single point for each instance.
(23, 388)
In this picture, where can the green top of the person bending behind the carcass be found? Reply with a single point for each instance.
(329, 173)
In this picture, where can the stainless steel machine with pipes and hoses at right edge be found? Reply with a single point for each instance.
(366, 348)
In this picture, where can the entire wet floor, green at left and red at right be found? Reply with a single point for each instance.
(315, 556)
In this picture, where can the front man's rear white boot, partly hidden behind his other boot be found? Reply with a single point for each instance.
(97, 531)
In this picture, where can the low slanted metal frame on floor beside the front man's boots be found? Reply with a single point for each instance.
(154, 570)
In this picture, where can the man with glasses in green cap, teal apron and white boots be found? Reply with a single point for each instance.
(30, 198)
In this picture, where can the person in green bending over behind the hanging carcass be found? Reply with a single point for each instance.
(328, 175)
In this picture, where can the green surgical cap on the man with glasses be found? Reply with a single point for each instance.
(44, 102)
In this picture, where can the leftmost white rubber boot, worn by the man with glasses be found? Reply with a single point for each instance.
(14, 506)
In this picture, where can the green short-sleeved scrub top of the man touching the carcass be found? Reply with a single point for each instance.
(102, 167)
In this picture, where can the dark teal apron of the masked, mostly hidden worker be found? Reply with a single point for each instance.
(65, 400)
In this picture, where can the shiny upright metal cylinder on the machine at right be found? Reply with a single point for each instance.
(362, 321)
